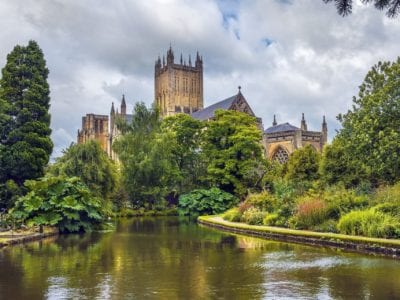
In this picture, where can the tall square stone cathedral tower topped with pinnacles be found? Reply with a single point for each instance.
(178, 88)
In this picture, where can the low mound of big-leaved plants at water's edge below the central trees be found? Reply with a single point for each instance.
(206, 202)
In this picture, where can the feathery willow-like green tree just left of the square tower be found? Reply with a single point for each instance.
(145, 156)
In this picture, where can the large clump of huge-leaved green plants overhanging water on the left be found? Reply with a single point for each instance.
(59, 201)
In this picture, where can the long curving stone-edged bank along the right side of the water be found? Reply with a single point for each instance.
(341, 241)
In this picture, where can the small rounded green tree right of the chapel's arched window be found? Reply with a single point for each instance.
(303, 164)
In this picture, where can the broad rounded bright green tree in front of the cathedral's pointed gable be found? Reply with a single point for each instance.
(233, 152)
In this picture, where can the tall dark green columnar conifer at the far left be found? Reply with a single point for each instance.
(25, 121)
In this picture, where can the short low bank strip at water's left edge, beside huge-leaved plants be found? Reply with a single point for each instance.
(8, 238)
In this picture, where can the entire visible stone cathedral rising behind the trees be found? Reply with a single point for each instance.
(178, 88)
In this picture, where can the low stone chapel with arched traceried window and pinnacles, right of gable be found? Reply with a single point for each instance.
(281, 140)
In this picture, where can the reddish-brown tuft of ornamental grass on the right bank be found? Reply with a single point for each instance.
(310, 212)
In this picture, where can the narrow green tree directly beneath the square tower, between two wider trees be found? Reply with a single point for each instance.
(185, 133)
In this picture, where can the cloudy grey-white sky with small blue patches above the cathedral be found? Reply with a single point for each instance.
(289, 56)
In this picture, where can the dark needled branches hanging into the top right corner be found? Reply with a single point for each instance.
(344, 7)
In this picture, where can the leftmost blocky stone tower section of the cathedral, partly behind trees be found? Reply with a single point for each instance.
(94, 127)
